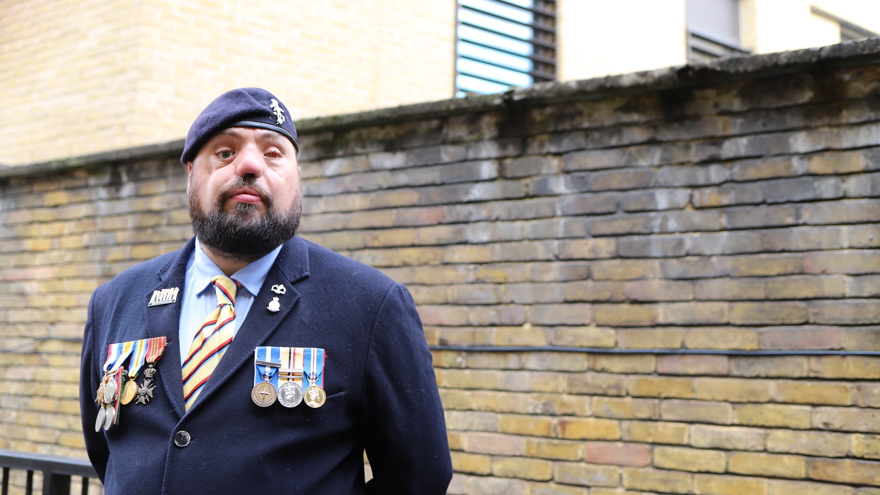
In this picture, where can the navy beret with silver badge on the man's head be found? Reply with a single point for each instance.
(245, 107)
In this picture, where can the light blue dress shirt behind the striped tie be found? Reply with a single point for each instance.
(200, 298)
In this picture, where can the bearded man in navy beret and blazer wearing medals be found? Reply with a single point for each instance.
(213, 333)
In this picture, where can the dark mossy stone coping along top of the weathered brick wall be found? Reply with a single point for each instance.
(847, 54)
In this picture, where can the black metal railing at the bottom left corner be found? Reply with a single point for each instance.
(57, 471)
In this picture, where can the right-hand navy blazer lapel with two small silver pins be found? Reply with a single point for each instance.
(290, 266)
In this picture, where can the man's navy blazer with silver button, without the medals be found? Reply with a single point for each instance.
(381, 390)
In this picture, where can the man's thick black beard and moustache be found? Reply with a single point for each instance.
(243, 234)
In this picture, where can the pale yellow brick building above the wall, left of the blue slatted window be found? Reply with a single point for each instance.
(81, 77)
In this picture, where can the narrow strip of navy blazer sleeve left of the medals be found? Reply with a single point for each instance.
(96, 444)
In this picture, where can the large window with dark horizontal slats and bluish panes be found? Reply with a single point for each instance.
(504, 43)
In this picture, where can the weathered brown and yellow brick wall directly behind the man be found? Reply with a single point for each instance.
(661, 282)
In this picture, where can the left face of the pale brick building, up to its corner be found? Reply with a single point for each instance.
(63, 92)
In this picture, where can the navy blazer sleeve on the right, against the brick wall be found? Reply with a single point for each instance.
(404, 429)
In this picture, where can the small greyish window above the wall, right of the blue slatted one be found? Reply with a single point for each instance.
(713, 29)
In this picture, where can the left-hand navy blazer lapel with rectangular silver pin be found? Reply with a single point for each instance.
(164, 321)
